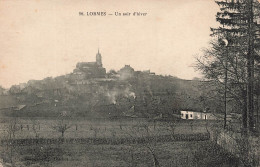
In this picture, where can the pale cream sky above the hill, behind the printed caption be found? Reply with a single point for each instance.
(41, 38)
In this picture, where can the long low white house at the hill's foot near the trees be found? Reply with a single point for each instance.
(197, 115)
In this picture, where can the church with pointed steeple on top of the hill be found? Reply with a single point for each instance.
(86, 70)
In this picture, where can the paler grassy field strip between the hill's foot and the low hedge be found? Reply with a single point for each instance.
(84, 128)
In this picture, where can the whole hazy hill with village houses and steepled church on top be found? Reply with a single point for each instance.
(92, 91)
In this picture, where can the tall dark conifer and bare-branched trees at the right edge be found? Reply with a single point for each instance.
(232, 59)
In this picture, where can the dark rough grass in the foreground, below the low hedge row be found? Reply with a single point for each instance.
(168, 154)
